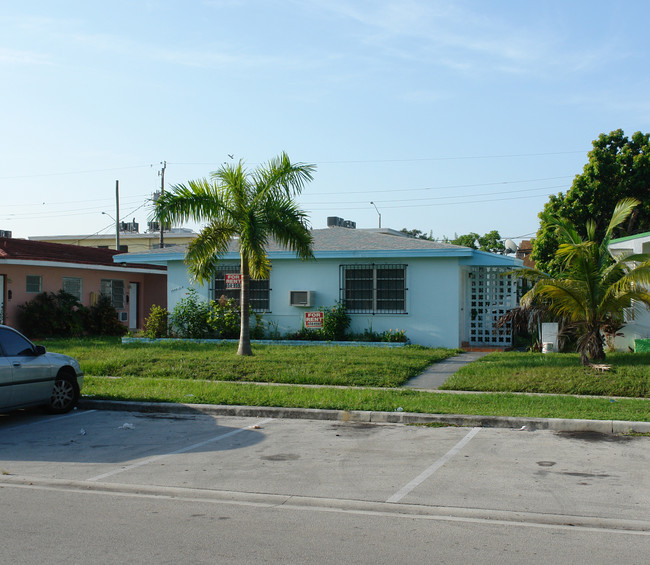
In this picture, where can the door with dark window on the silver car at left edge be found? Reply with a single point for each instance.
(32, 379)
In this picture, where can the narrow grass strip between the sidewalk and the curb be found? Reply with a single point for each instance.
(502, 404)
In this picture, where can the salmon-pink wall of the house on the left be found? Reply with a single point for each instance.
(151, 286)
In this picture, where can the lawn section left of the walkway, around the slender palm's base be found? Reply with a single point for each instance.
(335, 365)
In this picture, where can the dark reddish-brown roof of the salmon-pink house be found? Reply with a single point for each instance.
(23, 249)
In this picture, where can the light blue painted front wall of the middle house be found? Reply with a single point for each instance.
(433, 296)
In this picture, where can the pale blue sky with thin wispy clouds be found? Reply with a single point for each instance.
(451, 116)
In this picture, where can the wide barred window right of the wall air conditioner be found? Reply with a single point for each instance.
(373, 289)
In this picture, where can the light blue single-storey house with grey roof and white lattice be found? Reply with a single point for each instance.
(440, 294)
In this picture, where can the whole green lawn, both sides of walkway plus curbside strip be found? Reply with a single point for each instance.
(213, 374)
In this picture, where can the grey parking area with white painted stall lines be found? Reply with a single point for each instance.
(588, 481)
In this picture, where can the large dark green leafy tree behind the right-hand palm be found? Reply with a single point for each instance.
(618, 168)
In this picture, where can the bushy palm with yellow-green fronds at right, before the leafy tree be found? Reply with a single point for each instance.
(594, 288)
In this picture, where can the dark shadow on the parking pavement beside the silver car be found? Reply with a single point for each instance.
(98, 436)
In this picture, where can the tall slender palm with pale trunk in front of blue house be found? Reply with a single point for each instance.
(249, 208)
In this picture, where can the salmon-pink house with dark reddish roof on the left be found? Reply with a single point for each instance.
(28, 268)
